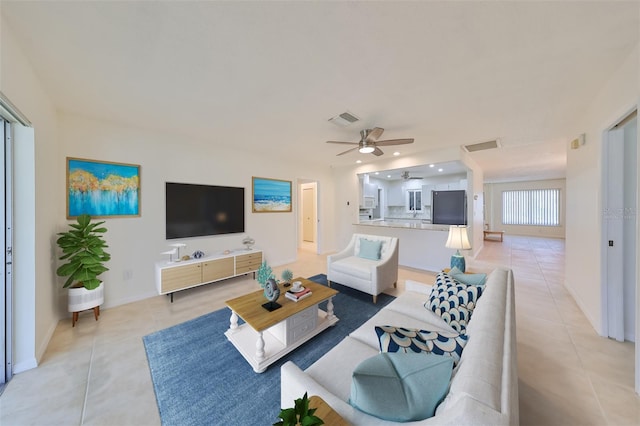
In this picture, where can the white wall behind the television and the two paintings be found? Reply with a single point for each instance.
(136, 243)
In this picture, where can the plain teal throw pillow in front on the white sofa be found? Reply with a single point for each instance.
(400, 387)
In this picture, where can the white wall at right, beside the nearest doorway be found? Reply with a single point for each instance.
(584, 188)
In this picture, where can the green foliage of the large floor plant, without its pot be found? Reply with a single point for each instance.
(83, 249)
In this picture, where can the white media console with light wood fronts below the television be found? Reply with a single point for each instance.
(176, 276)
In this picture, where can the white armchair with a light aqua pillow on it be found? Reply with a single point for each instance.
(368, 264)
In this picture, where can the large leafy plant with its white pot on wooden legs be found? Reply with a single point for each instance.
(83, 250)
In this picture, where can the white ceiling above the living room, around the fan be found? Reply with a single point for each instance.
(265, 77)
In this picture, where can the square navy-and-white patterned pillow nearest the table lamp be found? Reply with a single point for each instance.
(453, 301)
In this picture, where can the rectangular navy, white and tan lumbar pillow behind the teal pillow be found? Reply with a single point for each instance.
(400, 339)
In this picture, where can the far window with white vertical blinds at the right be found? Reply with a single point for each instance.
(537, 207)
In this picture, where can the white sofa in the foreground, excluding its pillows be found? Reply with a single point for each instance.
(484, 385)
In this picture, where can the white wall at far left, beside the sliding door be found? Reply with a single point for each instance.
(36, 206)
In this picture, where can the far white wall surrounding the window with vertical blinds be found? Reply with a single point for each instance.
(493, 192)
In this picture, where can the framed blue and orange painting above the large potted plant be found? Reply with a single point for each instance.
(102, 189)
